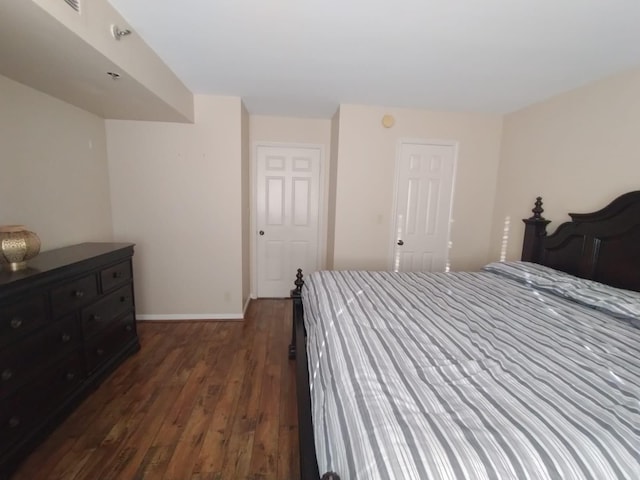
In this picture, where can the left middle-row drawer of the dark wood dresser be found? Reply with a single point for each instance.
(25, 359)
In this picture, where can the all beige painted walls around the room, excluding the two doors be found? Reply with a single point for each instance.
(182, 192)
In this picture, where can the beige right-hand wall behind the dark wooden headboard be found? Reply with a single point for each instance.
(578, 151)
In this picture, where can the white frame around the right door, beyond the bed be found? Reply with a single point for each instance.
(396, 177)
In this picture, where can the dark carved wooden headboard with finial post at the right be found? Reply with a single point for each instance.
(603, 246)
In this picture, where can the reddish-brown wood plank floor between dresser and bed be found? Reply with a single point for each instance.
(200, 401)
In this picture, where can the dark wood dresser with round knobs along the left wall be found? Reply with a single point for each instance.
(65, 322)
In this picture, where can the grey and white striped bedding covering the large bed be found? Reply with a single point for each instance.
(468, 376)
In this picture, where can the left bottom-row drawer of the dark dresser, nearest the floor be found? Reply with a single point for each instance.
(37, 400)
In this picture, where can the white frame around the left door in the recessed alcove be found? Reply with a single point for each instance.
(322, 220)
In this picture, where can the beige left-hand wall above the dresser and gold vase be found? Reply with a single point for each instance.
(53, 165)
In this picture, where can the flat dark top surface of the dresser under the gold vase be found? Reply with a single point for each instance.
(63, 257)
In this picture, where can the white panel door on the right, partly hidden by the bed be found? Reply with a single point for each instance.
(424, 195)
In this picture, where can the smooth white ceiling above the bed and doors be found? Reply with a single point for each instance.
(305, 57)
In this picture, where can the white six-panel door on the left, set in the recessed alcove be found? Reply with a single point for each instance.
(287, 196)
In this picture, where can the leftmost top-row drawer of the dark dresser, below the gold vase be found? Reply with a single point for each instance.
(20, 318)
